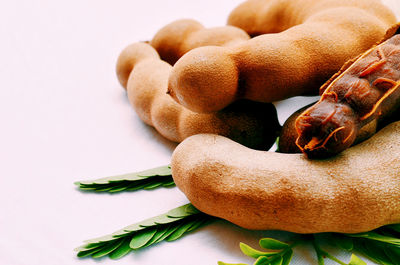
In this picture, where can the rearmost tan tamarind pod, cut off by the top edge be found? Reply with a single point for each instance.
(258, 17)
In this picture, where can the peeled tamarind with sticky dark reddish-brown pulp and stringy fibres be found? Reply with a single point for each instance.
(367, 90)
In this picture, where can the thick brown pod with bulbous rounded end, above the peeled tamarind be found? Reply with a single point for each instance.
(276, 66)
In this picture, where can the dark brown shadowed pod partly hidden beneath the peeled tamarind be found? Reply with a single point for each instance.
(288, 134)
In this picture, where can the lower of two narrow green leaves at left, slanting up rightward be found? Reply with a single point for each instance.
(166, 227)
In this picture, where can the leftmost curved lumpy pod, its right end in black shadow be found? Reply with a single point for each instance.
(140, 69)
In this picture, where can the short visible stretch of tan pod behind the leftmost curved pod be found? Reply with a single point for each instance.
(181, 36)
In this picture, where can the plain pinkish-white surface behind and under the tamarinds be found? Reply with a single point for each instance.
(64, 118)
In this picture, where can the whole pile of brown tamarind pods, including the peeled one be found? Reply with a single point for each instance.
(206, 84)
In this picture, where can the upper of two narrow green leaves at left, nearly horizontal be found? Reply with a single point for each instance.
(147, 180)
